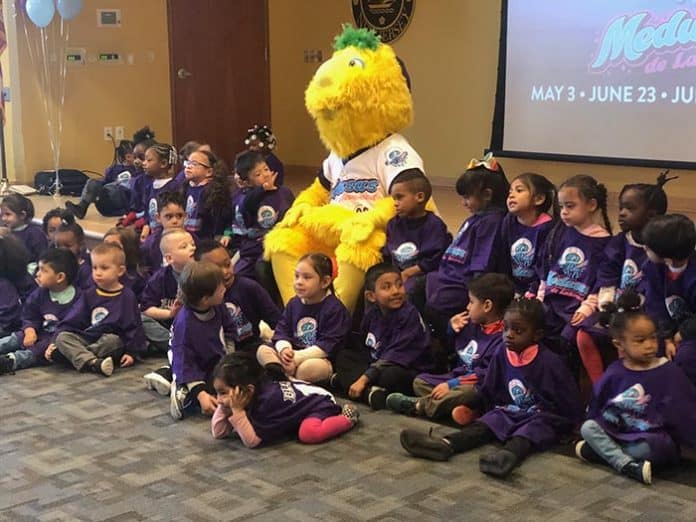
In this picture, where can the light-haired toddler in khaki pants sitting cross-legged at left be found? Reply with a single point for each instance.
(104, 326)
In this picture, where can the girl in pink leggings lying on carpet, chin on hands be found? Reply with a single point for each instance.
(263, 411)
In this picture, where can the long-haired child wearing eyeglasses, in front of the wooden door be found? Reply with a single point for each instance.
(207, 195)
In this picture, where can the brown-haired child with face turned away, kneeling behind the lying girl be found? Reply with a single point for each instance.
(198, 339)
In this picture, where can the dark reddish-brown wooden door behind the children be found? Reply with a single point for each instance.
(219, 71)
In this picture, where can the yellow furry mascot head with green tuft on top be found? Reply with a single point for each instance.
(360, 95)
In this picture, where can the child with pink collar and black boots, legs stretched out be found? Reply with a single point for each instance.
(531, 396)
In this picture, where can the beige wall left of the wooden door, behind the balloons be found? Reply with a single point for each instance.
(97, 95)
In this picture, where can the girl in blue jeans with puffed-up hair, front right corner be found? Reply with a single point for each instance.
(643, 406)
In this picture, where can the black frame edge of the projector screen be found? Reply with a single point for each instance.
(498, 130)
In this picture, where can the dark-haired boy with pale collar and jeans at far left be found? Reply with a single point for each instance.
(42, 310)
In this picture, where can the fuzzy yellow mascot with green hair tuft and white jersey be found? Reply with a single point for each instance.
(360, 99)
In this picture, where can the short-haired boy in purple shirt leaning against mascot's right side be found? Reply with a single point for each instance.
(416, 238)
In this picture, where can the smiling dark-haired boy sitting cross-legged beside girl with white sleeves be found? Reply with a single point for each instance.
(397, 342)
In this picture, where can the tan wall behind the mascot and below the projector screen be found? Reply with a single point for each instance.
(451, 51)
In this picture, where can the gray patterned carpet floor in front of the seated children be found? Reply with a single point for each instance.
(80, 447)
